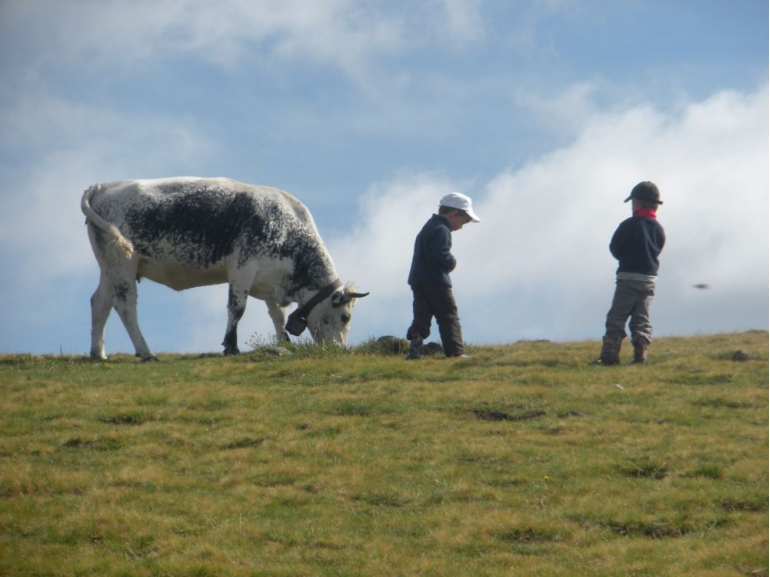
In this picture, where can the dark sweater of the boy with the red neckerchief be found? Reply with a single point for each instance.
(636, 244)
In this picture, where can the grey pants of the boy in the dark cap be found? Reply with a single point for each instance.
(632, 299)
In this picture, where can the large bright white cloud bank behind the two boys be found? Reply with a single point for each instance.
(538, 264)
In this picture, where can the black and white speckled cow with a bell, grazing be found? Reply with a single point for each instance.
(188, 232)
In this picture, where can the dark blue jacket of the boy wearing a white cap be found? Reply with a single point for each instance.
(432, 260)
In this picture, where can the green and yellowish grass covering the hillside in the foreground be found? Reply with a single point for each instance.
(520, 460)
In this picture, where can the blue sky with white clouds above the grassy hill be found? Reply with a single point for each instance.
(545, 112)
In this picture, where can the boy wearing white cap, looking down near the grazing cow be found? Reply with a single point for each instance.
(432, 262)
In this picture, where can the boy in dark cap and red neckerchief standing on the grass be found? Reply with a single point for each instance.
(636, 244)
